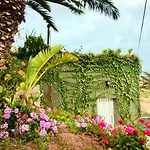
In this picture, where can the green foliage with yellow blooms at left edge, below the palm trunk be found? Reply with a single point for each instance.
(11, 78)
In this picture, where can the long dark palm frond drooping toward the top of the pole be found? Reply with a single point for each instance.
(45, 14)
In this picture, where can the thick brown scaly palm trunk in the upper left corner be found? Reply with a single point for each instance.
(11, 15)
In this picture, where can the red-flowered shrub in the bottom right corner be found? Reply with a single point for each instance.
(125, 136)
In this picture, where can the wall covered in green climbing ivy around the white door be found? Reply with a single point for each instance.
(109, 74)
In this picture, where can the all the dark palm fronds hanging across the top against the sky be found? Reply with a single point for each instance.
(76, 6)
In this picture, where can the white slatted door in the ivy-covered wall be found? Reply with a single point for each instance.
(106, 110)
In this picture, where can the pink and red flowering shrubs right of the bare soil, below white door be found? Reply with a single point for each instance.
(123, 136)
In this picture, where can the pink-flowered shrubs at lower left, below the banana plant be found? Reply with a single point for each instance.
(28, 125)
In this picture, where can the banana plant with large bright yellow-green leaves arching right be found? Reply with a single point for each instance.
(39, 65)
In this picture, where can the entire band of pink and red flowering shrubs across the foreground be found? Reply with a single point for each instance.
(38, 123)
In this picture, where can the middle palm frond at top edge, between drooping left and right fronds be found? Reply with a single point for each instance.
(74, 8)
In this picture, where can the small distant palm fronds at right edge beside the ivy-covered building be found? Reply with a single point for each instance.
(145, 81)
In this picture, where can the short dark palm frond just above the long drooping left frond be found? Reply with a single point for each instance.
(44, 4)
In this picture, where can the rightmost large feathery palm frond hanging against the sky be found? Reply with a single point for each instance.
(103, 6)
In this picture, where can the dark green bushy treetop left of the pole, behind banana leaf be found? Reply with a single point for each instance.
(32, 46)
